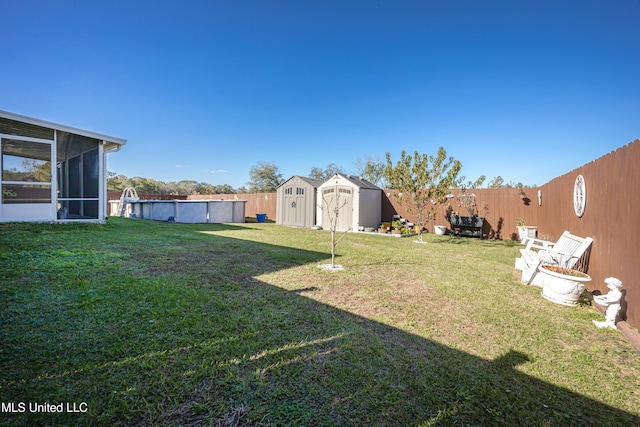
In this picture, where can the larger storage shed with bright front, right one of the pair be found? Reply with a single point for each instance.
(359, 202)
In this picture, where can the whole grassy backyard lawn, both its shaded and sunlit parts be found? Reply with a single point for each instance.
(144, 323)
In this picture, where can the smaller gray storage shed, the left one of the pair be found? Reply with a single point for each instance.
(296, 201)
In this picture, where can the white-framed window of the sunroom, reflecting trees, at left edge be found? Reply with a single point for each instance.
(26, 172)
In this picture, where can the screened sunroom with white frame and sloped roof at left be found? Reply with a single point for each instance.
(52, 172)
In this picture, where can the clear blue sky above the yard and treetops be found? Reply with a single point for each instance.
(203, 90)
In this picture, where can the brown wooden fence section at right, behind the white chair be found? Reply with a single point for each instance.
(612, 205)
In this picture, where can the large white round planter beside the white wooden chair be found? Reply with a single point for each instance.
(562, 285)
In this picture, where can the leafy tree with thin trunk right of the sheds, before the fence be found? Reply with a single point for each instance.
(421, 182)
